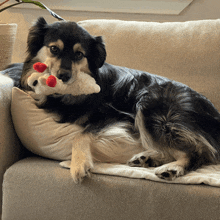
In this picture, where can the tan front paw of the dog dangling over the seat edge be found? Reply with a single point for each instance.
(80, 171)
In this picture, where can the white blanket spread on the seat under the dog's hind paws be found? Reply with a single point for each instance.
(209, 175)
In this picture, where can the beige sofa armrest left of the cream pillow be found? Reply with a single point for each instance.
(10, 147)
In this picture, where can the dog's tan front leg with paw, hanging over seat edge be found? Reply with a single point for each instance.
(81, 161)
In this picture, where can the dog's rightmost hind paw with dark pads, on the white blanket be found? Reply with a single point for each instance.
(170, 171)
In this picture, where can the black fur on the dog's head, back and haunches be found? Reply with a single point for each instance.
(169, 108)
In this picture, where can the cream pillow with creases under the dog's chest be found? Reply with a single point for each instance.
(37, 129)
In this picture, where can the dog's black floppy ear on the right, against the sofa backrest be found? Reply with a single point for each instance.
(98, 54)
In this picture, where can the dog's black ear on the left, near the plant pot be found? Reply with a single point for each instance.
(35, 39)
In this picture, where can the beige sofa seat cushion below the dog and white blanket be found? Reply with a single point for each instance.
(37, 188)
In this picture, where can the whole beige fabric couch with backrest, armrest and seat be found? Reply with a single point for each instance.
(38, 188)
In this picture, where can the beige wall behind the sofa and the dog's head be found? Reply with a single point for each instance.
(198, 10)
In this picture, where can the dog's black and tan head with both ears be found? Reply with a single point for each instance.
(68, 47)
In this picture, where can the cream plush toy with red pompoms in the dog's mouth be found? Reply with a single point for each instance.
(45, 84)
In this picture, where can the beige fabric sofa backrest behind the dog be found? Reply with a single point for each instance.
(184, 51)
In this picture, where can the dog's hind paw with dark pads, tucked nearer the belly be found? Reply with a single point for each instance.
(145, 159)
